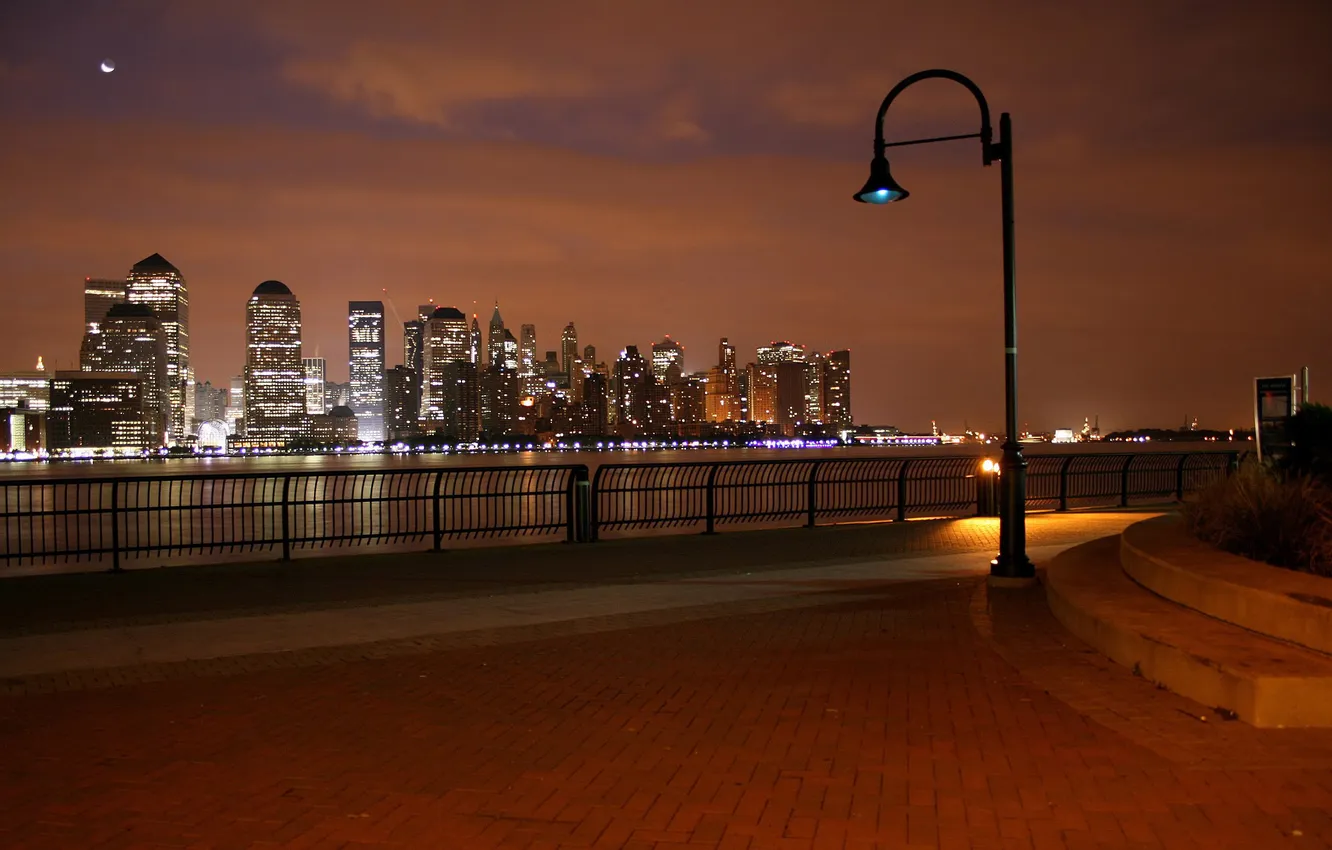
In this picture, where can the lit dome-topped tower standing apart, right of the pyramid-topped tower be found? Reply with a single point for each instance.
(275, 379)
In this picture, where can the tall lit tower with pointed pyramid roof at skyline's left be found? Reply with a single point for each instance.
(158, 284)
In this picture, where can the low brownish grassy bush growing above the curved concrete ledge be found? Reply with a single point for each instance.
(1267, 515)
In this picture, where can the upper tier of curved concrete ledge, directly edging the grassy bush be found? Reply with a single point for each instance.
(1164, 558)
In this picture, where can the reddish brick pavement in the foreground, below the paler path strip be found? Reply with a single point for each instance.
(910, 716)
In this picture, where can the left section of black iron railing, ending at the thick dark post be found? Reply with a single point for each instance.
(113, 519)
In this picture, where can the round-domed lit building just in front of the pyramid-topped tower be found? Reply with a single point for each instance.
(131, 340)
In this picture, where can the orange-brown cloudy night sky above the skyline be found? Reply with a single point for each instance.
(687, 169)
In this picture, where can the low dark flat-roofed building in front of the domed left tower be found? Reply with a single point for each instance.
(98, 411)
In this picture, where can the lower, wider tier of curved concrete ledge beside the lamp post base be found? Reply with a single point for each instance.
(1266, 683)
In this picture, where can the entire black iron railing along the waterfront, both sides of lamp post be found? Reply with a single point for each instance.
(115, 519)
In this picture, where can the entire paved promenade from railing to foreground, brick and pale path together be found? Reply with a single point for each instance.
(838, 688)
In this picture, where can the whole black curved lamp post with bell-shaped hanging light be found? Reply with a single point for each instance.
(881, 189)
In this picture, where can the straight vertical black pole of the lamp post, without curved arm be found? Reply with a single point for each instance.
(1012, 562)
